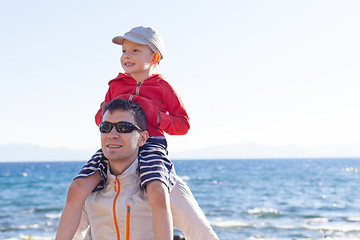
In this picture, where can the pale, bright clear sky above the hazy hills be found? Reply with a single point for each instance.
(263, 72)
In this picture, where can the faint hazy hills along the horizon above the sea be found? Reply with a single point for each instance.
(23, 152)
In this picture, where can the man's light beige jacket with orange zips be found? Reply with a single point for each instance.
(122, 211)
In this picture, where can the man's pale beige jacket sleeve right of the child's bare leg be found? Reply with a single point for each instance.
(187, 214)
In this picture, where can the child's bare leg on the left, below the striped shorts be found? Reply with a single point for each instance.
(78, 191)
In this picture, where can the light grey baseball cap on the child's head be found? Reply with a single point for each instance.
(143, 35)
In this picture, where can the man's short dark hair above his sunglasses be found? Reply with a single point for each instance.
(127, 105)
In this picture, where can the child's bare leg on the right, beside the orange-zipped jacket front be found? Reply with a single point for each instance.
(158, 195)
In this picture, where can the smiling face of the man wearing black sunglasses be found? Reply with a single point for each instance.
(121, 147)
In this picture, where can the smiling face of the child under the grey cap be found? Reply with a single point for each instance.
(136, 58)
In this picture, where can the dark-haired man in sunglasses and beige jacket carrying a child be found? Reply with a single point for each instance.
(121, 210)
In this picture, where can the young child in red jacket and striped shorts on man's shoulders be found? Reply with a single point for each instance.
(142, 50)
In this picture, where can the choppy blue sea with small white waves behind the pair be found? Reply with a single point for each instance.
(243, 199)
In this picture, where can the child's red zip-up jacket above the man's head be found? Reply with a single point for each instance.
(155, 96)
